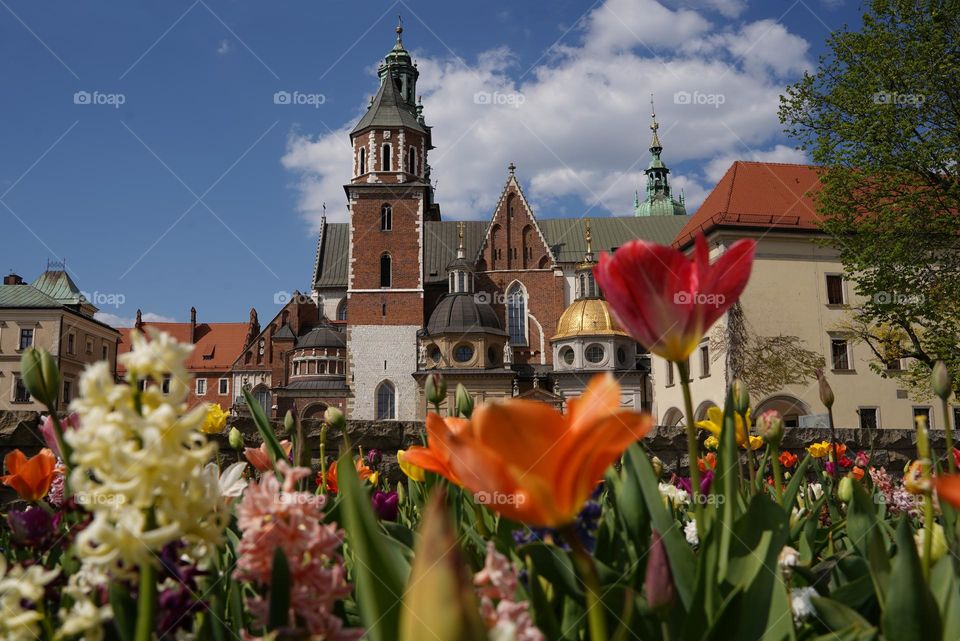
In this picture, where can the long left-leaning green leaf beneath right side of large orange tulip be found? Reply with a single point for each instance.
(682, 561)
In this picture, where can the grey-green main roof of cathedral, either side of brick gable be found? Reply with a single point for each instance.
(564, 235)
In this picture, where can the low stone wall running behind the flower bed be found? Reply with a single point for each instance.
(892, 448)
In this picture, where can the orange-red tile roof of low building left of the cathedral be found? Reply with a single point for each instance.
(217, 346)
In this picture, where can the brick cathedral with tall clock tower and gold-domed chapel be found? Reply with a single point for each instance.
(507, 306)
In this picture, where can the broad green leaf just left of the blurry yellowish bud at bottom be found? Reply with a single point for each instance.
(379, 569)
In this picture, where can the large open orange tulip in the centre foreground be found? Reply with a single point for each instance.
(528, 461)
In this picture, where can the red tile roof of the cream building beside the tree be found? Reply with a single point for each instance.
(757, 195)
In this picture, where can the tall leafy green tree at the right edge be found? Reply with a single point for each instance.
(881, 115)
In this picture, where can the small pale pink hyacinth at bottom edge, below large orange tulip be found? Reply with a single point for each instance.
(498, 580)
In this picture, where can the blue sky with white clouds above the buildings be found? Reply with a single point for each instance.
(151, 147)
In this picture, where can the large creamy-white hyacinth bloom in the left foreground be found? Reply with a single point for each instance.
(141, 454)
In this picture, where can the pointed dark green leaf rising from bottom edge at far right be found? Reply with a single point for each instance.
(910, 612)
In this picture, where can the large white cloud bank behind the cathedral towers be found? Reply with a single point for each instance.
(576, 125)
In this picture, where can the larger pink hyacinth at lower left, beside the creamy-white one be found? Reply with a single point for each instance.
(272, 515)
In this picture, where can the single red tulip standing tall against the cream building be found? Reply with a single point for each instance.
(666, 300)
